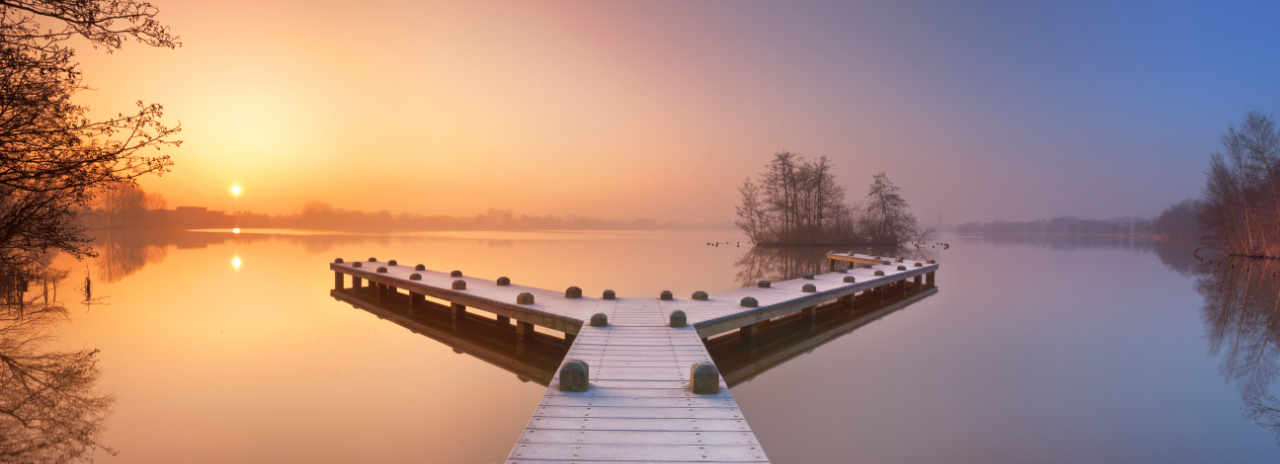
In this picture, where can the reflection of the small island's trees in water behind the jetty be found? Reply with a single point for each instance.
(778, 263)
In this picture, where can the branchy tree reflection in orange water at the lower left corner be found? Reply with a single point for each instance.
(49, 410)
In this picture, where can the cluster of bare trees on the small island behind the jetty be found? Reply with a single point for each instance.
(798, 202)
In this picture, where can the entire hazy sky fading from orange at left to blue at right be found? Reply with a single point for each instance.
(660, 110)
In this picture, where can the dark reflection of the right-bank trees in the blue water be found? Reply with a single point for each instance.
(1242, 317)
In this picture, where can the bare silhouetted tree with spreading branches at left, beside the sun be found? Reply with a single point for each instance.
(53, 157)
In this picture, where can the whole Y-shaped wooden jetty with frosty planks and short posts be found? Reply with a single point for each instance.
(638, 383)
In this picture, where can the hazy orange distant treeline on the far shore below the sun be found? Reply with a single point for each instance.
(129, 207)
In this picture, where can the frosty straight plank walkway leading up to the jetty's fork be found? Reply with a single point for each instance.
(639, 408)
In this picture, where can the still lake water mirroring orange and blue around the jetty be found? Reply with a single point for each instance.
(228, 348)
